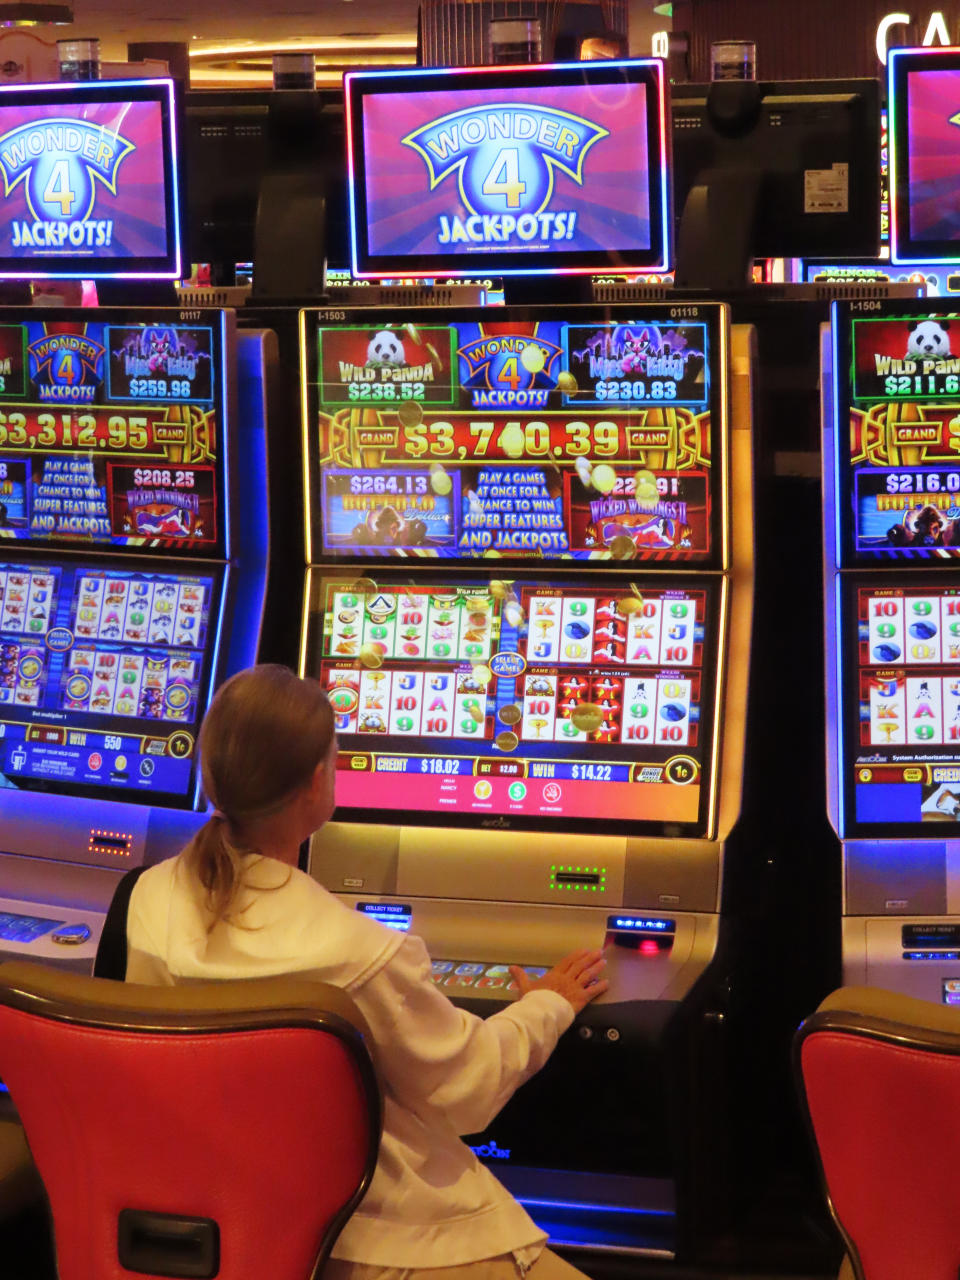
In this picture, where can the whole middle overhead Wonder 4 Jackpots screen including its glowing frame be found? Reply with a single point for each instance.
(496, 170)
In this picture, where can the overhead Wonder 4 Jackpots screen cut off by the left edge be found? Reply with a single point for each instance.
(90, 181)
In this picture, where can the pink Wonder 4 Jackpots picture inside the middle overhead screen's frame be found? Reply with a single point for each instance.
(513, 172)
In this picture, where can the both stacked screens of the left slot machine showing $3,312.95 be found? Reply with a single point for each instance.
(113, 452)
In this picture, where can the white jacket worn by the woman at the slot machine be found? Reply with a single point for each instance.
(445, 1072)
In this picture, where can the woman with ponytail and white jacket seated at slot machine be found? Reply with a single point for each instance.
(235, 906)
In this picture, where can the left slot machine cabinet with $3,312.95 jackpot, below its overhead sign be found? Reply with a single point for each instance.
(134, 545)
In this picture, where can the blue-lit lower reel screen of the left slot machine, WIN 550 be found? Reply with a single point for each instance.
(106, 674)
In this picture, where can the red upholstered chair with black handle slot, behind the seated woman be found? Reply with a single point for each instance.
(213, 1130)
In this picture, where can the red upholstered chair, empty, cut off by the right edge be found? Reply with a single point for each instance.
(880, 1077)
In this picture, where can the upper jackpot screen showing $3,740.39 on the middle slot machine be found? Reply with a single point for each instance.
(502, 435)
